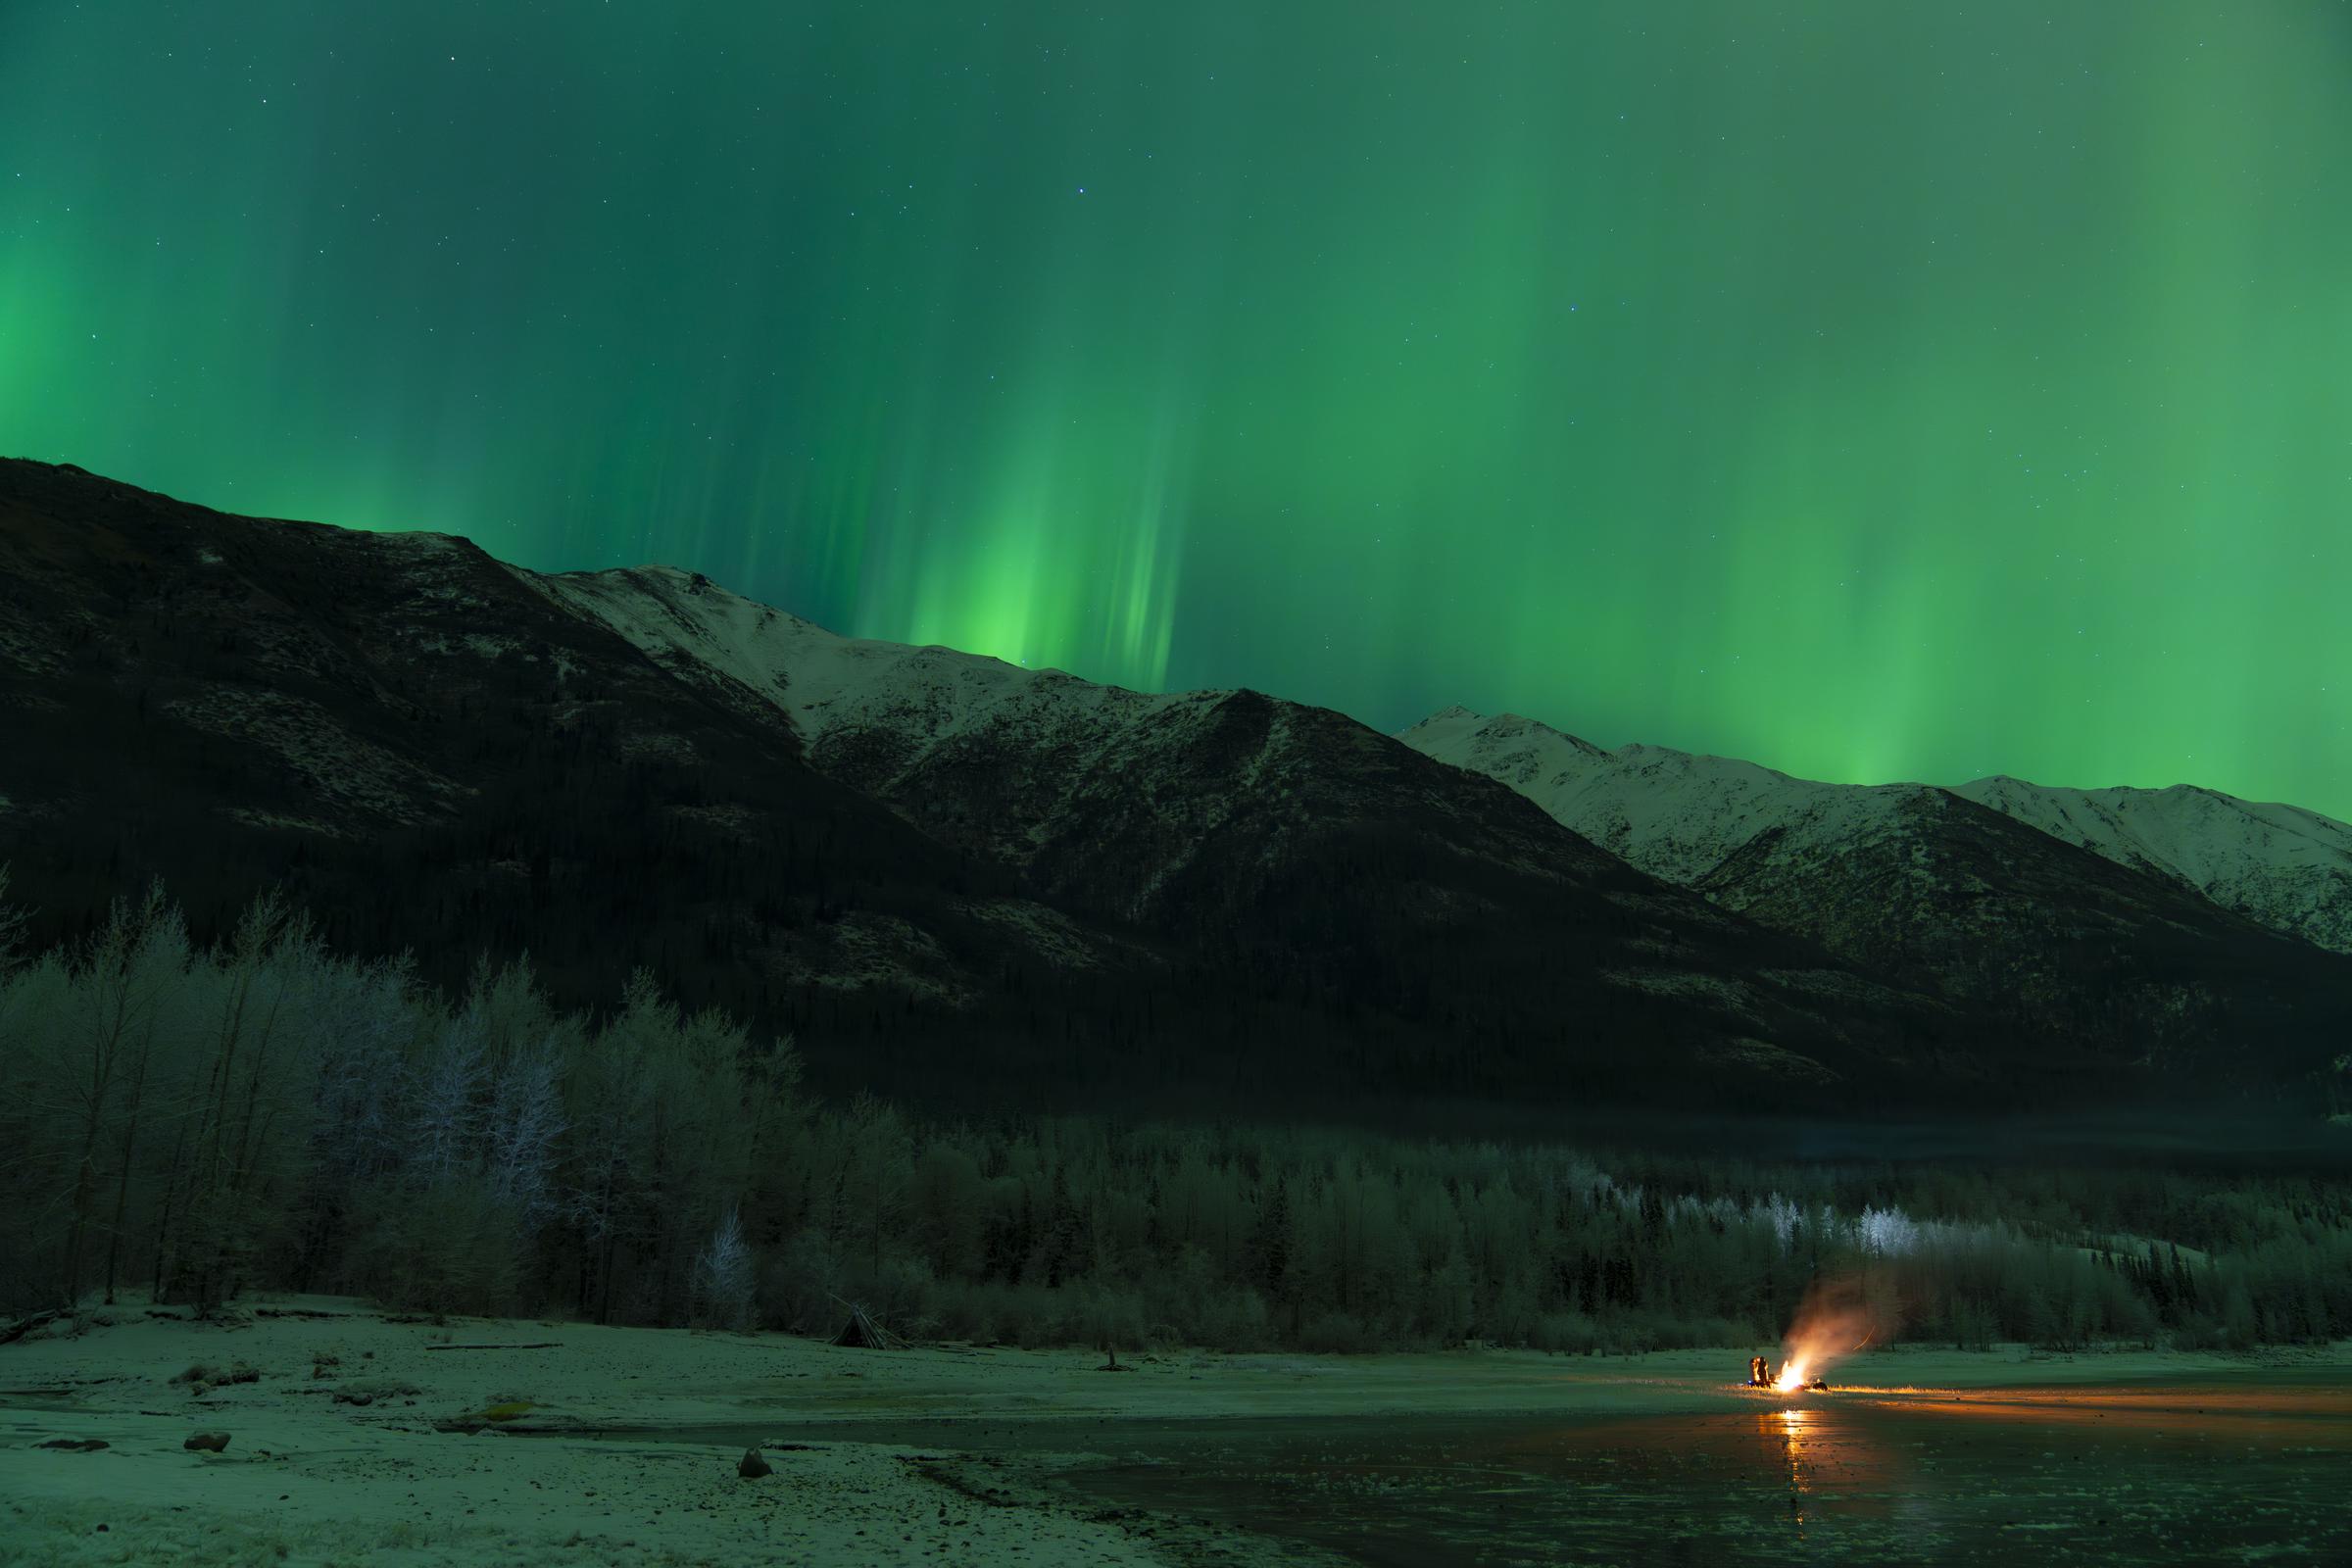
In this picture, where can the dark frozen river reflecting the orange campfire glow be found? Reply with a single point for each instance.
(2250, 1470)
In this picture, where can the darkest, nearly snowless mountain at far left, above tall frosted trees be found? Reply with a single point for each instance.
(432, 756)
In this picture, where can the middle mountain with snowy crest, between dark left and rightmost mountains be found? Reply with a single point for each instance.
(1295, 843)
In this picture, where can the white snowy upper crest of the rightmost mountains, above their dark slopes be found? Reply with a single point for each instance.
(1683, 817)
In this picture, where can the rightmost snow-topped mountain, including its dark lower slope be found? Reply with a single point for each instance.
(2094, 958)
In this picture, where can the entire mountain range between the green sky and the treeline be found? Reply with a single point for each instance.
(961, 876)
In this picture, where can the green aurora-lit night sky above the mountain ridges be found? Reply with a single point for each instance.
(1876, 391)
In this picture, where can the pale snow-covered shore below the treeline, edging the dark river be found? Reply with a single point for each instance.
(314, 1477)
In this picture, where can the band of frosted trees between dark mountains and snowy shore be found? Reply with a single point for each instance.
(267, 1115)
